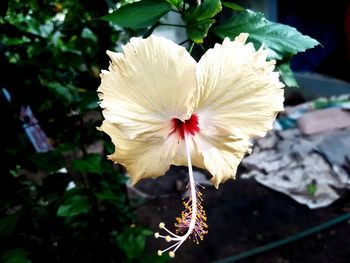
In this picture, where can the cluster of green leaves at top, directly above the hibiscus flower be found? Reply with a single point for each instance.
(212, 20)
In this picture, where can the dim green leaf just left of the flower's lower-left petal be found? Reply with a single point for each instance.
(90, 164)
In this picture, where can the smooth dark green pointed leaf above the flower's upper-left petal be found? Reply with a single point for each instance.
(139, 14)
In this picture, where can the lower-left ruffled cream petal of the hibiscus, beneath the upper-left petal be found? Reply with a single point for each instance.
(142, 158)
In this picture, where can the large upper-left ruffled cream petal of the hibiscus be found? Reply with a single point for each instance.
(147, 85)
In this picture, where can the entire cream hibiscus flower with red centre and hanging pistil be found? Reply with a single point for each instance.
(163, 108)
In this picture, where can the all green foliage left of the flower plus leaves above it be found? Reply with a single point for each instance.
(70, 204)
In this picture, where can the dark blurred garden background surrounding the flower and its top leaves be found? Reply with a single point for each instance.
(62, 201)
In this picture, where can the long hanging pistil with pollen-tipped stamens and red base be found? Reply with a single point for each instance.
(192, 223)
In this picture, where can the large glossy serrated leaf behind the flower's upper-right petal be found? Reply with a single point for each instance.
(281, 40)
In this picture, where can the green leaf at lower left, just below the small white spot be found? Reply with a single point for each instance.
(73, 205)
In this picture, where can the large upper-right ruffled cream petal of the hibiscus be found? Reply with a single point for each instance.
(237, 91)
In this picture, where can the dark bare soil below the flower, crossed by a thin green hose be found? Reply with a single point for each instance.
(243, 215)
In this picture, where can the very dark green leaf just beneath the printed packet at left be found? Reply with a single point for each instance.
(49, 162)
